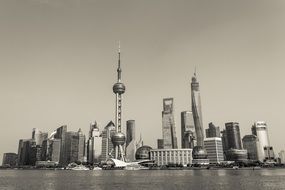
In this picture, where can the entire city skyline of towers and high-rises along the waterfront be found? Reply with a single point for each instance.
(63, 147)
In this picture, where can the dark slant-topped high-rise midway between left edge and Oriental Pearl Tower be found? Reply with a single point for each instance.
(60, 134)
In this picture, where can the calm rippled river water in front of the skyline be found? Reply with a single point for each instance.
(143, 179)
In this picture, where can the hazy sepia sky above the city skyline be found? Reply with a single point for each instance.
(58, 62)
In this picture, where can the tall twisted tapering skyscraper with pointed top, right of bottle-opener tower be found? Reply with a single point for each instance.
(197, 111)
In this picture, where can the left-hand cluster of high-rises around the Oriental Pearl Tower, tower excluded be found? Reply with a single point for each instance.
(63, 147)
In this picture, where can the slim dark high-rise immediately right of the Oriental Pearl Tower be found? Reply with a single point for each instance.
(131, 141)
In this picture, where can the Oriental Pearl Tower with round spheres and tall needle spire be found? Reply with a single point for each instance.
(119, 138)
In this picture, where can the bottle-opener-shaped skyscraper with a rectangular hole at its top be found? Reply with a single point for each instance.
(168, 124)
